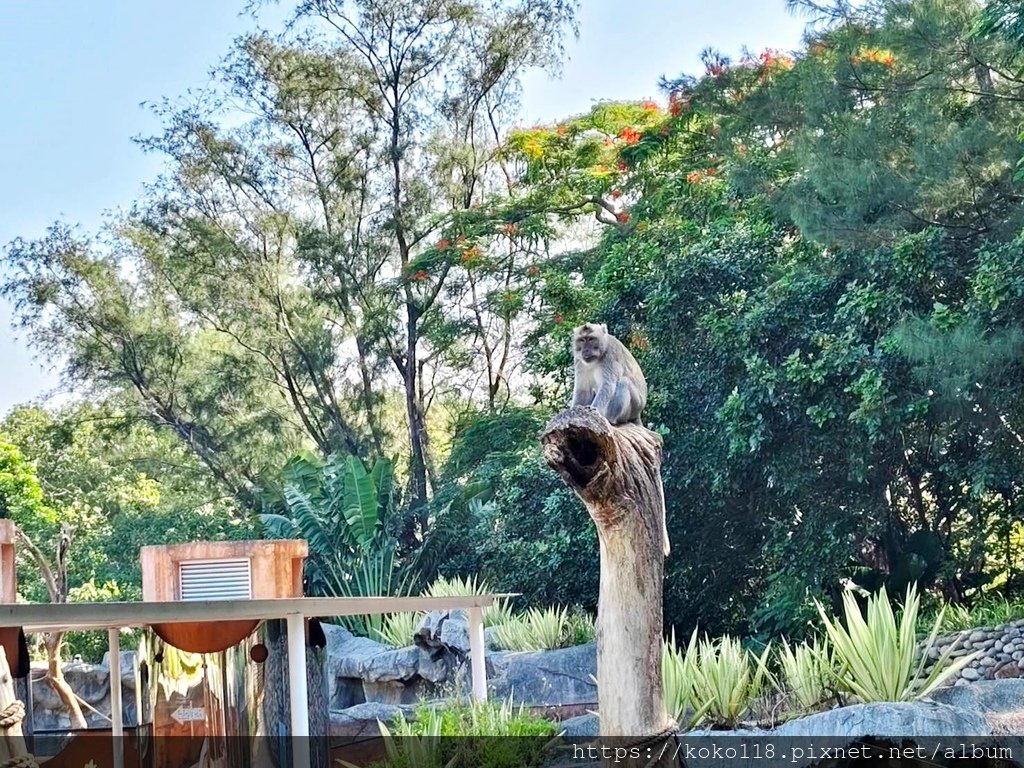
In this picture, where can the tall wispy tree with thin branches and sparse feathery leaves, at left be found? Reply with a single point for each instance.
(280, 249)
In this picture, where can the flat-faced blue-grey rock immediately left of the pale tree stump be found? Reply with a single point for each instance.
(549, 678)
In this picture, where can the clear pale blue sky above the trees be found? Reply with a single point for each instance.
(74, 75)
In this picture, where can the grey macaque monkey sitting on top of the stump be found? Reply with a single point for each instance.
(608, 377)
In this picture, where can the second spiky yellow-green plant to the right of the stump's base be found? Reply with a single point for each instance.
(729, 678)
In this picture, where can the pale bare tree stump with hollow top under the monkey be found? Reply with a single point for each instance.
(617, 472)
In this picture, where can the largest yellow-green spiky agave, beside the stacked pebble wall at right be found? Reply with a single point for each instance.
(879, 657)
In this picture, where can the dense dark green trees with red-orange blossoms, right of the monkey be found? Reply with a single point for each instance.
(816, 260)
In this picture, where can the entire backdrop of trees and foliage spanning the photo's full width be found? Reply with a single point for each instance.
(817, 257)
